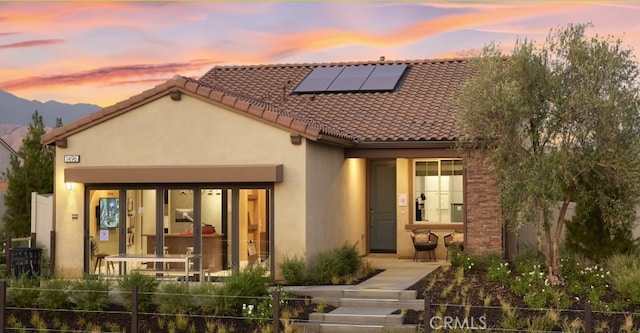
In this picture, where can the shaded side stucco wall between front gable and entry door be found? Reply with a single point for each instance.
(336, 199)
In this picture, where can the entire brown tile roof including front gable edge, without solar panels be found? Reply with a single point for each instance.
(416, 111)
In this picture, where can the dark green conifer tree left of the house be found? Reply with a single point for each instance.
(30, 171)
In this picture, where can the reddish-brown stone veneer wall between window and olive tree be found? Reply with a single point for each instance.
(483, 220)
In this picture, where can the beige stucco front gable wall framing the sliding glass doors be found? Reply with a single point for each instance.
(186, 132)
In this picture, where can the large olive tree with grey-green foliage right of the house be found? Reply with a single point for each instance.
(558, 121)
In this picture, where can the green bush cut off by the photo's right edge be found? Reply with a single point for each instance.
(625, 275)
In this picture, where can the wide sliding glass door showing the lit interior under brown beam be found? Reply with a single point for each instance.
(225, 226)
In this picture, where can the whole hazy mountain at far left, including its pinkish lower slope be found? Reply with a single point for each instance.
(16, 113)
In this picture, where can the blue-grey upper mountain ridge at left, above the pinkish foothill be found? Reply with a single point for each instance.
(18, 111)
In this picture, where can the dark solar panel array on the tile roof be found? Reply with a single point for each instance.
(355, 78)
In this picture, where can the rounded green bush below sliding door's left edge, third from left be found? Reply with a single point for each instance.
(90, 294)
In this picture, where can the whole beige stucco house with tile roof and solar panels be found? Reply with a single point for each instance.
(253, 164)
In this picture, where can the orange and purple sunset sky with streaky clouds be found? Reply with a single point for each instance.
(105, 52)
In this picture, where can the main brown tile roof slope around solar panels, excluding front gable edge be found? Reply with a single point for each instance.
(418, 110)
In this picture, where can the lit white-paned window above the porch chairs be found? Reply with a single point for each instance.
(438, 190)
